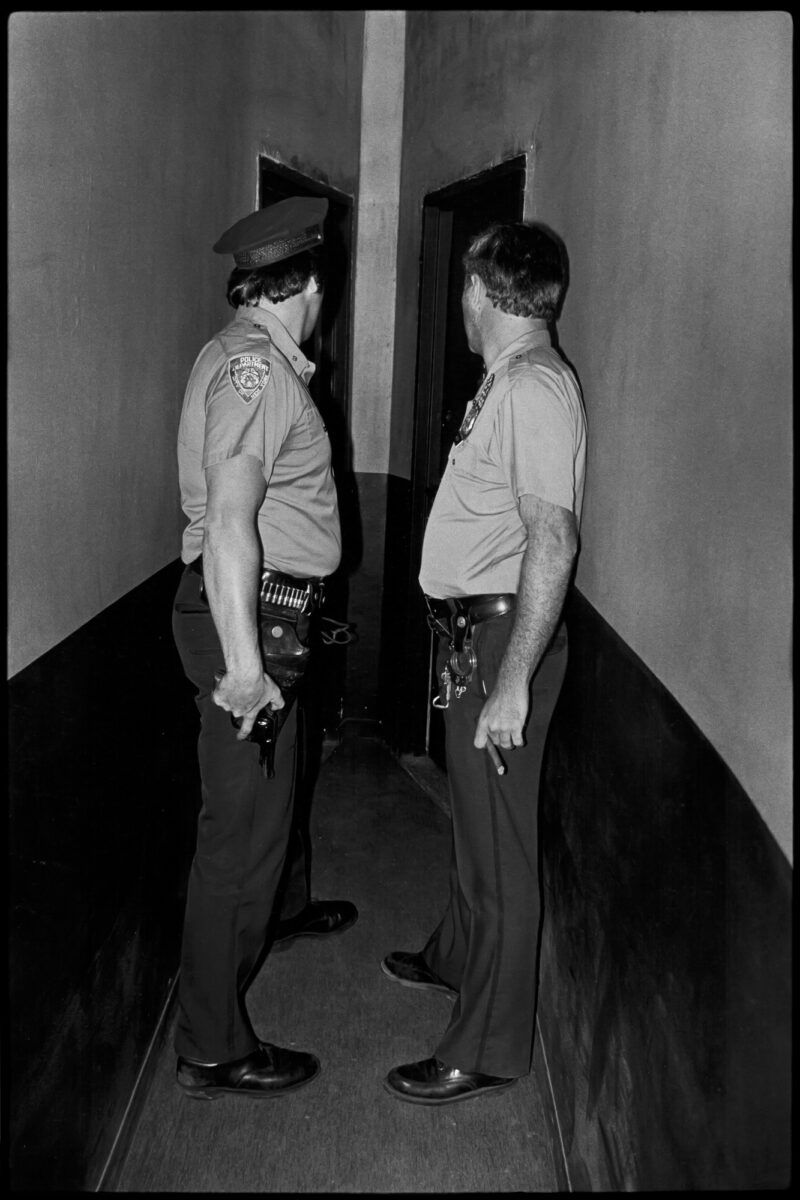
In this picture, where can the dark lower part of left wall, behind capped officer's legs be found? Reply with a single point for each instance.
(104, 801)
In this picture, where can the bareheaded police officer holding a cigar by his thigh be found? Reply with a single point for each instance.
(497, 560)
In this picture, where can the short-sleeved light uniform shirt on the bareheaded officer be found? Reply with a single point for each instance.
(528, 440)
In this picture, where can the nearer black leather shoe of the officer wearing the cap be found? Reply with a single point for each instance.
(270, 1071)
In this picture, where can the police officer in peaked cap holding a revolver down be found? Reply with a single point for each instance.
(263, 533)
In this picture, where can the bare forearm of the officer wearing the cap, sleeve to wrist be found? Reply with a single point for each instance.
(232, 566)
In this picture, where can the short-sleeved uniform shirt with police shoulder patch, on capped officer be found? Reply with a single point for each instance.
(248, 395)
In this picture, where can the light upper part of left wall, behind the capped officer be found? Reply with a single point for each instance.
(134, 143)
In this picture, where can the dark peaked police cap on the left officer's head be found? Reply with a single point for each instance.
(276, 232)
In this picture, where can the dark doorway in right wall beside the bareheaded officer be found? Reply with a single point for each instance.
(448, 376)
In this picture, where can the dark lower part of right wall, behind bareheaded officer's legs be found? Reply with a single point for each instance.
(665, 1003)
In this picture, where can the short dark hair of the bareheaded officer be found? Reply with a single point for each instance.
(524, 266)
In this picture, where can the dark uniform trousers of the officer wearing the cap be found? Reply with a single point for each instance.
(245, 830)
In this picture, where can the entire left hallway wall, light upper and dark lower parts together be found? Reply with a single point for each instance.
(134, 145)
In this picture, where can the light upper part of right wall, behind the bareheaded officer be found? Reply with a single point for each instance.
(659, 148)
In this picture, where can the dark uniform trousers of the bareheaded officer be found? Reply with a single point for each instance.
(486, 945)
